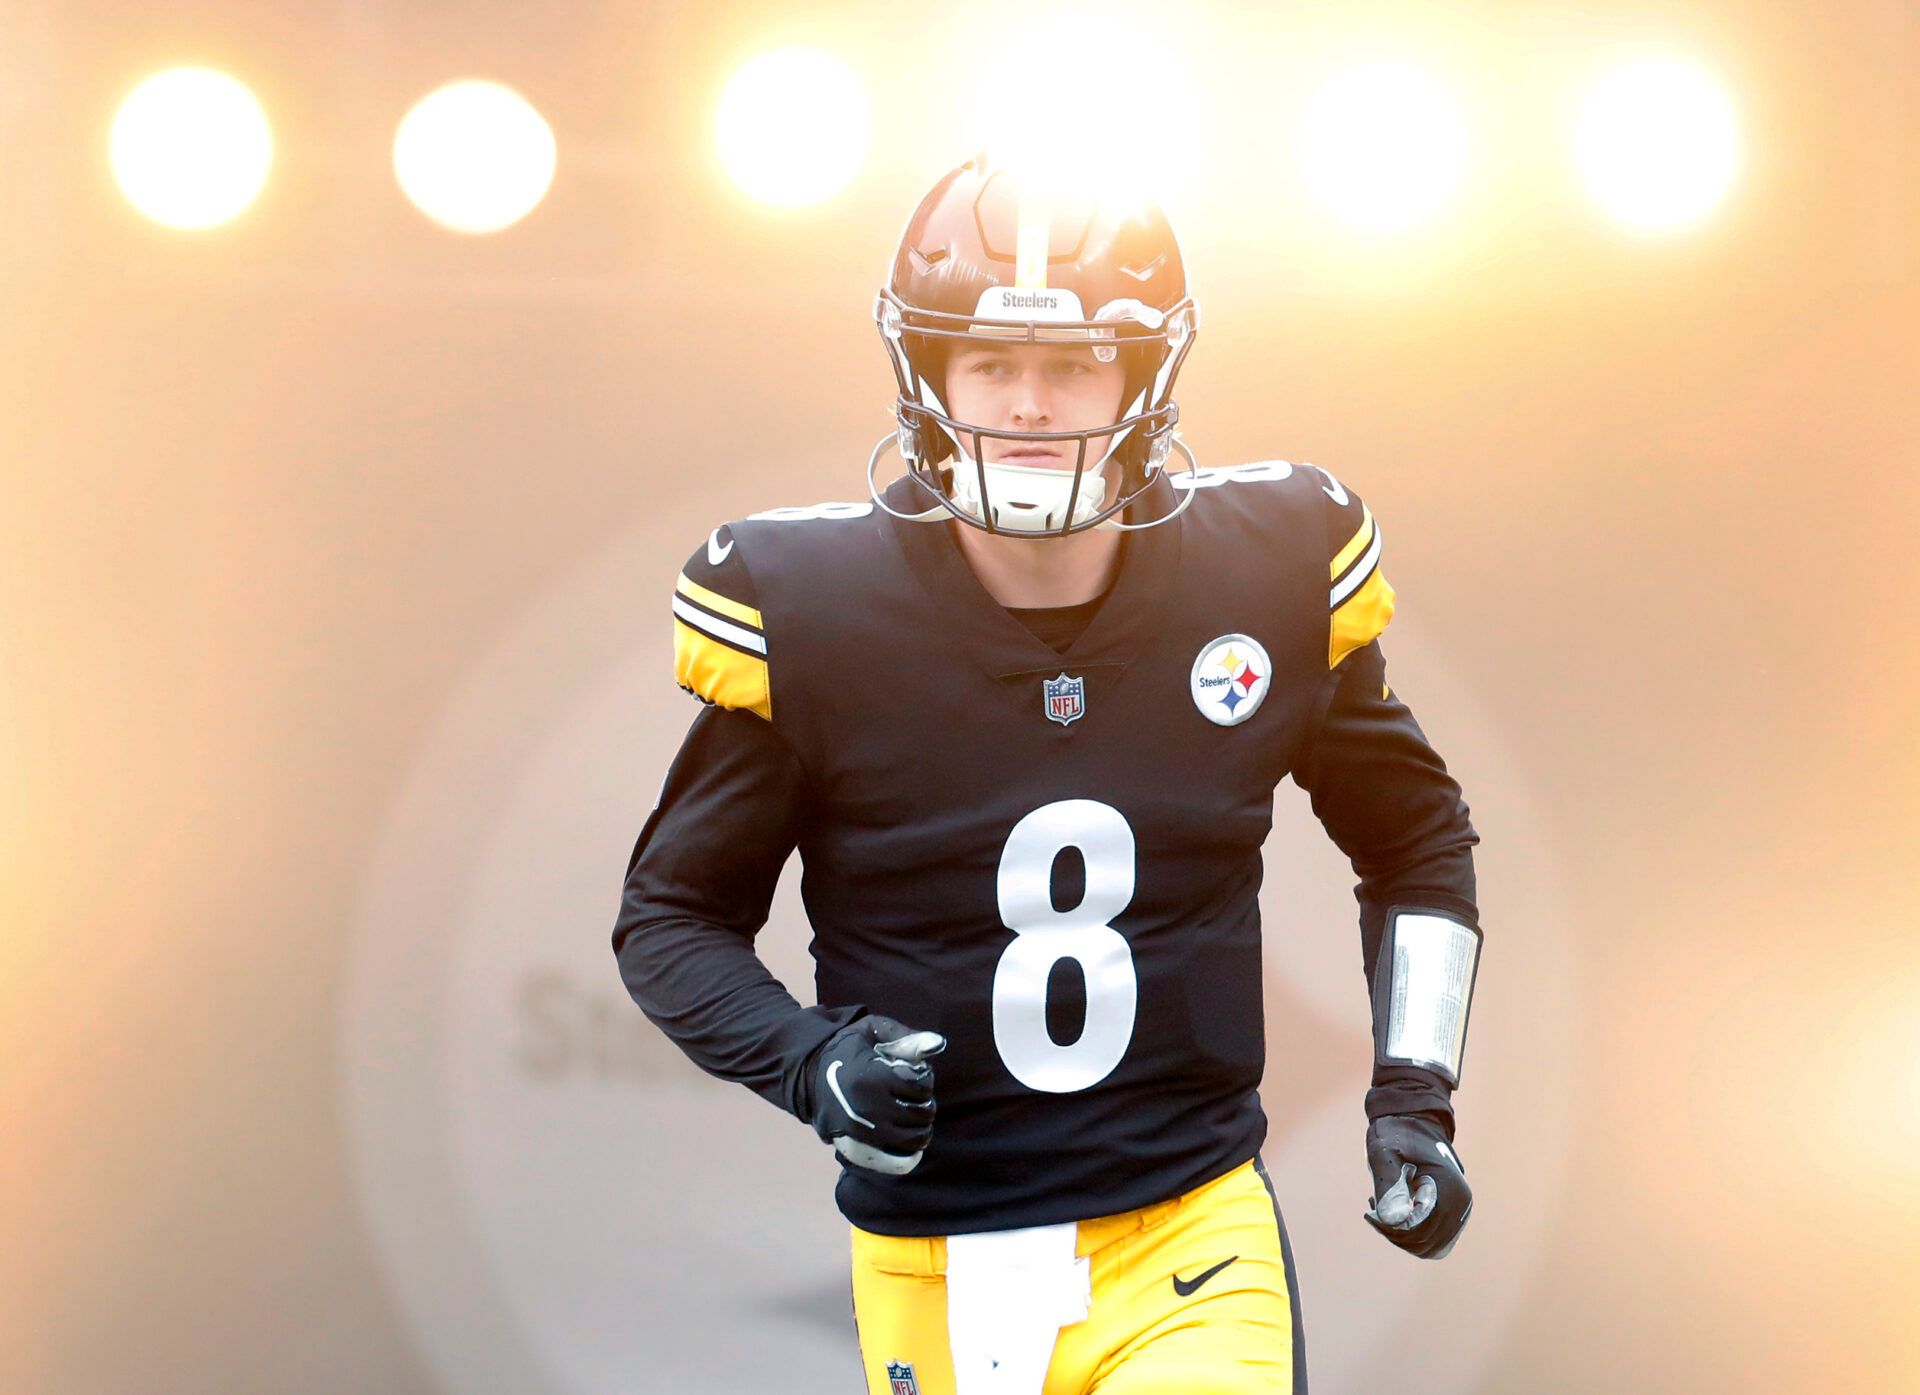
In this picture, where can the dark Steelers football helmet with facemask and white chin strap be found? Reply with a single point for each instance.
(994, 254)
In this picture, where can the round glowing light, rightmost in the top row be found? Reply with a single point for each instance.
(1658, 145)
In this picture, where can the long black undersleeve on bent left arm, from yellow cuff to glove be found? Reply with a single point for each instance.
(698, 893)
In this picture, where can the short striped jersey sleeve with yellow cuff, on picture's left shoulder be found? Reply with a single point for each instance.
(719, 632)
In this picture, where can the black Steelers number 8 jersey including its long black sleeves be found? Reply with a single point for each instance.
(1051, 859)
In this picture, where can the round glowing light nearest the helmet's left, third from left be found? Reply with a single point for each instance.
(794, 128)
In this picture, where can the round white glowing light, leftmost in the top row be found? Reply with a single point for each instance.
(191, 149)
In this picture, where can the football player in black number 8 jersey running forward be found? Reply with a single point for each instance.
(1022, 713)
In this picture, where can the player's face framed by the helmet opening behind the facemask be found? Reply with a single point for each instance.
(1036, 389)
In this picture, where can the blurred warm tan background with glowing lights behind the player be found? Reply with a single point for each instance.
(370, 369)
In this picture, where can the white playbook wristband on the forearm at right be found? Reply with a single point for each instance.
(1424, 987)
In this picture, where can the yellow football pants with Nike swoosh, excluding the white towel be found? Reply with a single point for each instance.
(1236, 1333)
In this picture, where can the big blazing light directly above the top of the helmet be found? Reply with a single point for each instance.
(1086, 103)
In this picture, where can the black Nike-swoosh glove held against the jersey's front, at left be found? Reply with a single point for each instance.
(873, 1095)
